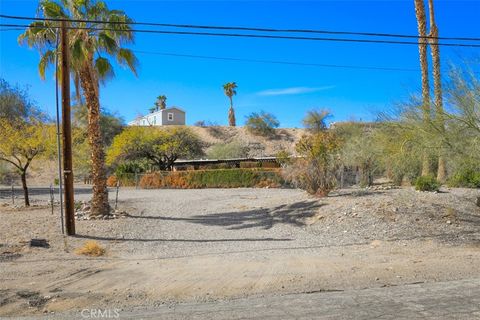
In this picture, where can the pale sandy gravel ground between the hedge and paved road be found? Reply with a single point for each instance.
(187, 246)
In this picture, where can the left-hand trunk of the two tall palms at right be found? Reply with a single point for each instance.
(422, 48)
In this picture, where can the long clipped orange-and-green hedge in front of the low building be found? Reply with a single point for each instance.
(223, 178)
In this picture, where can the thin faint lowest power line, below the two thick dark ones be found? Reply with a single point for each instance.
(277, 62)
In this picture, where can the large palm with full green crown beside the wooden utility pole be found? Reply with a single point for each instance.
(90, 45)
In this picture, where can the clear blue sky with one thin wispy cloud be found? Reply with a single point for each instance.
(284, 90)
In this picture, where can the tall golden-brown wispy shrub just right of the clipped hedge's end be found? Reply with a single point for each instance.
(315, 172)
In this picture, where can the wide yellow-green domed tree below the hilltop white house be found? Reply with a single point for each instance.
(160, 147)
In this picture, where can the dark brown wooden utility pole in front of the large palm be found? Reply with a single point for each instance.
(67, 133)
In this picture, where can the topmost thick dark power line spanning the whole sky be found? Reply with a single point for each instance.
(191, 26)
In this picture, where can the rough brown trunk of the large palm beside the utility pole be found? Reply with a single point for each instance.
(100, 204)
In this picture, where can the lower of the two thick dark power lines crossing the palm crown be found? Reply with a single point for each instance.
(240, 35)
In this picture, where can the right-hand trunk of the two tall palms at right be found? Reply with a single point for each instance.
(437, 87)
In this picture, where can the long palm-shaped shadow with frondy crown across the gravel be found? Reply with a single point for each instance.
(265, 218)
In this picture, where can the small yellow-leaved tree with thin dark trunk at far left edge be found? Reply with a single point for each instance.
(20, 143)
